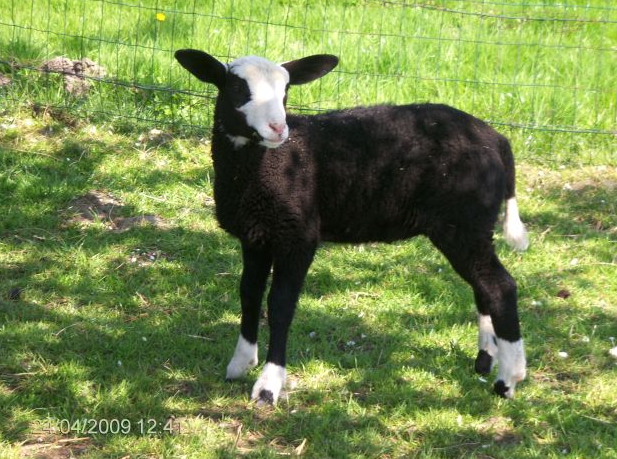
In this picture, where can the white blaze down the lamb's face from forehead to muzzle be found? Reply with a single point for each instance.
(265, 111)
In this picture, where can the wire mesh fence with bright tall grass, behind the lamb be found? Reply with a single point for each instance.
(543, 71)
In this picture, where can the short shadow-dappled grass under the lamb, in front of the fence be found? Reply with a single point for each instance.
(101, 331)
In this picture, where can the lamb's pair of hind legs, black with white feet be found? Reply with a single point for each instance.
(496, 300)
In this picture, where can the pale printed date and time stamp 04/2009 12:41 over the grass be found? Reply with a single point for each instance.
(87, 426)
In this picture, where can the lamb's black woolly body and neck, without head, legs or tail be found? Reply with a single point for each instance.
(365, 174)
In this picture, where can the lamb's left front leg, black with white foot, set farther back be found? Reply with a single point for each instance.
(256, 269)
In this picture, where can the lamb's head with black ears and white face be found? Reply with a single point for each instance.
(253, 91)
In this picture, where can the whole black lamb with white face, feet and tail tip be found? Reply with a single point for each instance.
(284, 183)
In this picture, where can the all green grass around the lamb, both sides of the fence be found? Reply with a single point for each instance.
(118, 292)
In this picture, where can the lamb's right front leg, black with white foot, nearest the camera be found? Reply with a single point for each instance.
(289, 272)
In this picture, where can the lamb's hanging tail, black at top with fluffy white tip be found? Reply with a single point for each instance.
(513, 228)
